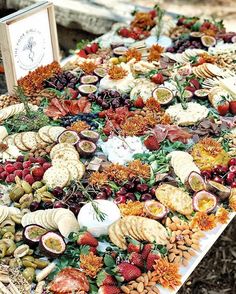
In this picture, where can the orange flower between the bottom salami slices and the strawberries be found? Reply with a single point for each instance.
(91, 264)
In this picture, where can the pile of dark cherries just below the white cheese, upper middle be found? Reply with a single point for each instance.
(110, 99)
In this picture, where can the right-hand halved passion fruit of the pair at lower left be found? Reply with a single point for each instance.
(52, 245)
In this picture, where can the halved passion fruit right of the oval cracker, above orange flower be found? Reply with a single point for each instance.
(204, 201)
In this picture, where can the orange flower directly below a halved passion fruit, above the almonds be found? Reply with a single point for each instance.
(204, 221)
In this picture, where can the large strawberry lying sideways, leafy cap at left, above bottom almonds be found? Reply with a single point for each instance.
(127, 272)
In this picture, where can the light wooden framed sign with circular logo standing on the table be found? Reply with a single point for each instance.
(28, 40)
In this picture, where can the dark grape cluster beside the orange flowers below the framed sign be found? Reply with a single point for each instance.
(62, 80)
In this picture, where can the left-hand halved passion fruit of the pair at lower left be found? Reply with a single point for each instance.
(32, 234)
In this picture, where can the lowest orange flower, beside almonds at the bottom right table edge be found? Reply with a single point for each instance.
(166, 273)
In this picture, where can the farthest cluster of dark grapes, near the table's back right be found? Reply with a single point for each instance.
(180, 46)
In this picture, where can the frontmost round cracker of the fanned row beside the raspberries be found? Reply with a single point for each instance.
(56, 177)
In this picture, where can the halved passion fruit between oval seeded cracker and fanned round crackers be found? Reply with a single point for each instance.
(155, 209)
